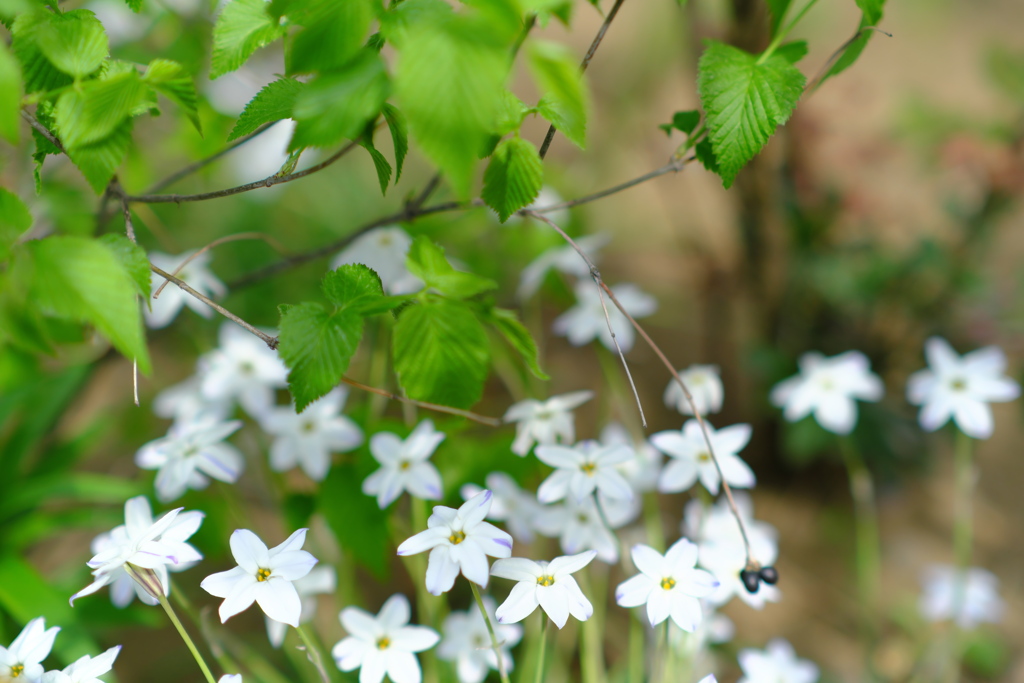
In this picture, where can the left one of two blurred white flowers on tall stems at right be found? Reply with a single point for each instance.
(828, 388)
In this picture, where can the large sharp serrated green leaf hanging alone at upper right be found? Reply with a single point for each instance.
(745, 102)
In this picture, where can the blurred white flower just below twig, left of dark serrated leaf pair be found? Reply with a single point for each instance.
(242, 369)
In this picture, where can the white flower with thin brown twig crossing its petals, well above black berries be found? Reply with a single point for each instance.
(691, 459)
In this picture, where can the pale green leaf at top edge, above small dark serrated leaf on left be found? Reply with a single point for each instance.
(242, 28)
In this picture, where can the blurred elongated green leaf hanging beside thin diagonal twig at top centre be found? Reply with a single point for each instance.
(566, 100)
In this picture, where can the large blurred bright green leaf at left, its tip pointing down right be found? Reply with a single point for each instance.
(82, 280)
